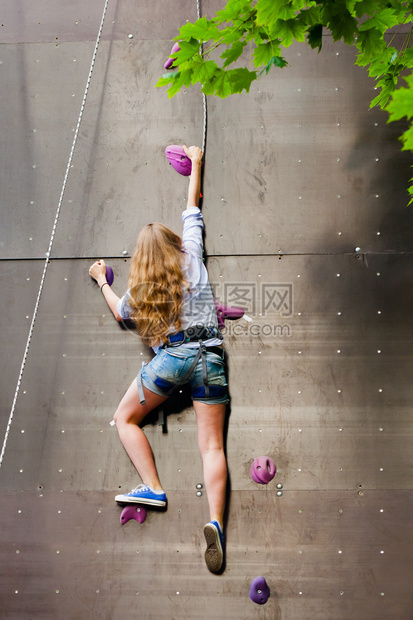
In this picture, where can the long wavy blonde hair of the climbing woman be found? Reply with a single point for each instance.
(156, 283)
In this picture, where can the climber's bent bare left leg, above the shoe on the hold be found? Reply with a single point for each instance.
(128, 416)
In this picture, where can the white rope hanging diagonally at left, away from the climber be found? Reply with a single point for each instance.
(36, 308)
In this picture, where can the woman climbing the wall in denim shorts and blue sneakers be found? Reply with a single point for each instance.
(171, 303)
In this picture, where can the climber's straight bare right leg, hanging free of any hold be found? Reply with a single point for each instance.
(210, 421)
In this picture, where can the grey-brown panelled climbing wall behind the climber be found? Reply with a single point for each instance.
(299, 174)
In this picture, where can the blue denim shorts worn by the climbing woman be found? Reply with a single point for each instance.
(171, 365)
